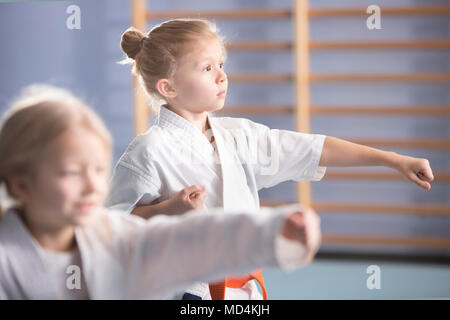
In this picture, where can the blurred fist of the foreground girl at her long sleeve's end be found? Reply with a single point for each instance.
(304, 227)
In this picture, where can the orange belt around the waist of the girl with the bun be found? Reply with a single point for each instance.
(217, 290)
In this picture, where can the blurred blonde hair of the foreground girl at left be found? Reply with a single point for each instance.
(35, 119)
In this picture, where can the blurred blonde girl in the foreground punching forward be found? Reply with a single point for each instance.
(57, 241)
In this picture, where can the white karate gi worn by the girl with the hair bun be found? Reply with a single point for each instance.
(173, 154)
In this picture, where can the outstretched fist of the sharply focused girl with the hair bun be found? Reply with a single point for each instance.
(415, 169)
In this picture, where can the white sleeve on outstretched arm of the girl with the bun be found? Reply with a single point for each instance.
(284, 155)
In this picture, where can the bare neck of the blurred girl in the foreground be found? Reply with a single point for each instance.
(51, 237)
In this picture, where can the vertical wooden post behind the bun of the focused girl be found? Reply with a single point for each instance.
(141, 110)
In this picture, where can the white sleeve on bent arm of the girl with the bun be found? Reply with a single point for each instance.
(130, 186)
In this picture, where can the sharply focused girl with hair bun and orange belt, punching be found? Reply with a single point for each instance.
(180, 64)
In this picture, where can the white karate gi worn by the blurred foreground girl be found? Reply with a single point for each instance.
(127, 257)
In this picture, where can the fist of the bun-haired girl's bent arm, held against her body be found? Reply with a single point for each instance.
(190, 198)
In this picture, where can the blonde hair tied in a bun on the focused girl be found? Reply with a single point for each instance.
(154, 56)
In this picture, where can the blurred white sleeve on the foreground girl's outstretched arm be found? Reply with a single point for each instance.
(170, 253)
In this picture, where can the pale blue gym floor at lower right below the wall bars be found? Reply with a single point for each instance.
(338, 279)
